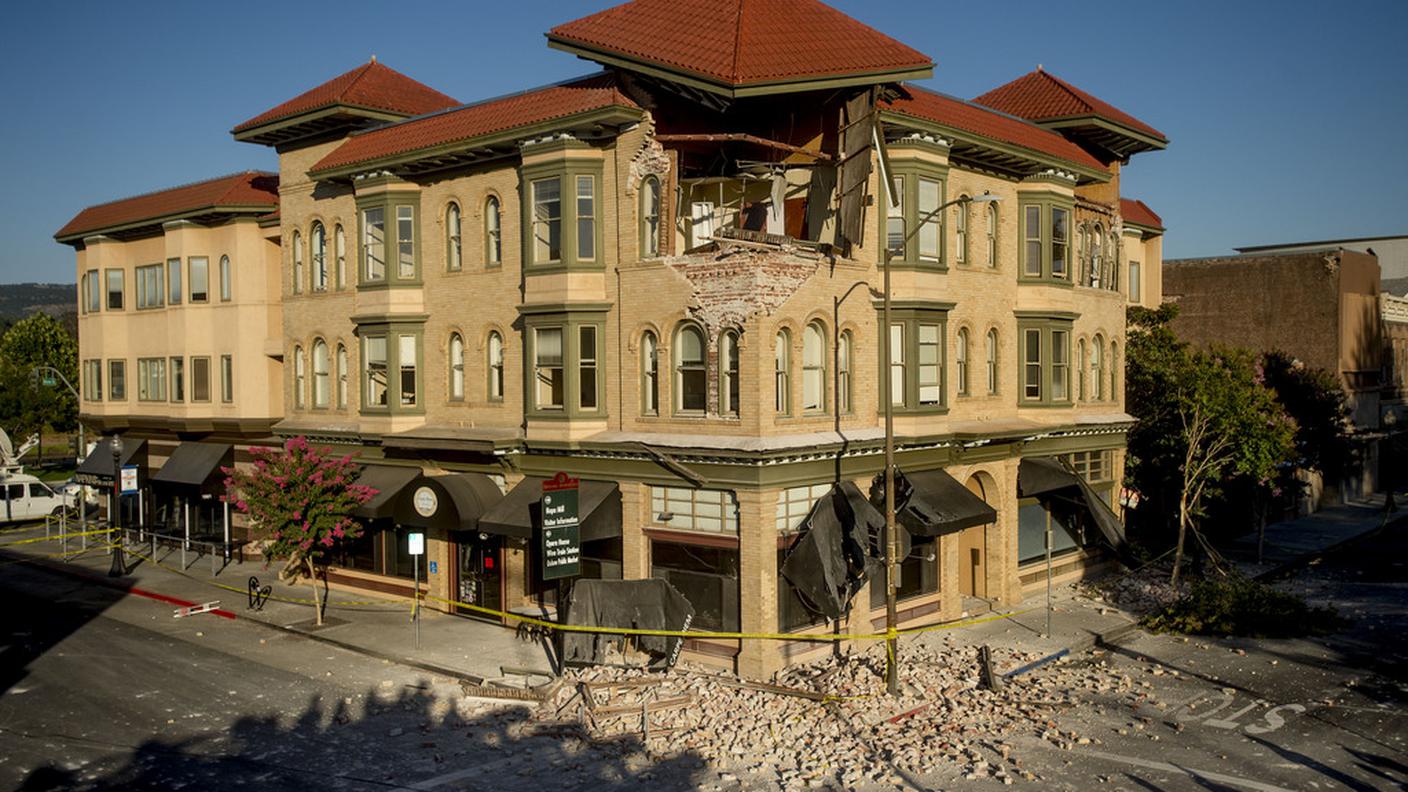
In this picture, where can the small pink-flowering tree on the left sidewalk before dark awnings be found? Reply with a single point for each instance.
(301, 502)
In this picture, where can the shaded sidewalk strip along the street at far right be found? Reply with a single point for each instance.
(1297, 542)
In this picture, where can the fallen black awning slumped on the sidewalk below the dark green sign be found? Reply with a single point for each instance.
(640, 605)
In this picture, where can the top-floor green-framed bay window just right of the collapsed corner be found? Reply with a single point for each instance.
(923, 187)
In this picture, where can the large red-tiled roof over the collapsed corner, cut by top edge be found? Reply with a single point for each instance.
(741, 43)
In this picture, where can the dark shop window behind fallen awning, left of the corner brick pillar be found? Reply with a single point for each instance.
(706, 576)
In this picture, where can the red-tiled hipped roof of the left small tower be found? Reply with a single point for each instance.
(371, 85)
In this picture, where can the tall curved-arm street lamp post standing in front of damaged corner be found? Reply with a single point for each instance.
(892, 670)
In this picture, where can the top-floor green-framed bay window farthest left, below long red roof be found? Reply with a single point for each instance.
(401, 259)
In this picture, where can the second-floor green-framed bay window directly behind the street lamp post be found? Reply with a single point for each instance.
(919, 338)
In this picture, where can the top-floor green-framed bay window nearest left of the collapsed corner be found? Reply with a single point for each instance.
(579, 214)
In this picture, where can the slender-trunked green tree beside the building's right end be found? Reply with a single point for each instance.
(1205, 418)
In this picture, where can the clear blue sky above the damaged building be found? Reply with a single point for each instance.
(1288, 120)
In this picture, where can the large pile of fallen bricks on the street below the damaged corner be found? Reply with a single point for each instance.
(830, 724)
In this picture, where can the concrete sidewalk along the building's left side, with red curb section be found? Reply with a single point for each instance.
(381, 628)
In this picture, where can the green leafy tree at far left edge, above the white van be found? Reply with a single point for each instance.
(26, 405)
